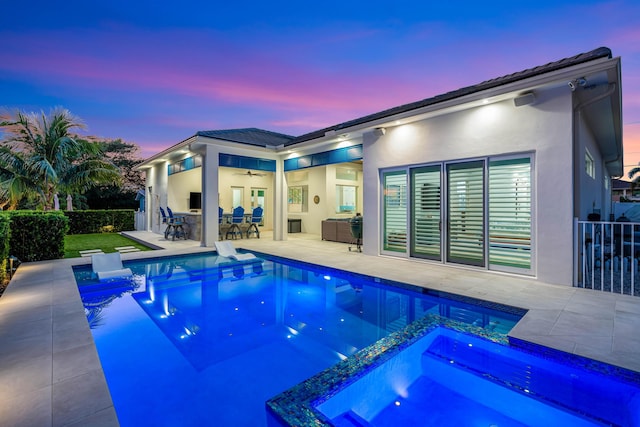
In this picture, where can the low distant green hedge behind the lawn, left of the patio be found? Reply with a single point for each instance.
(99, 221)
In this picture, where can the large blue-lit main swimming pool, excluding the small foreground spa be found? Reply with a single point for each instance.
(196, 340)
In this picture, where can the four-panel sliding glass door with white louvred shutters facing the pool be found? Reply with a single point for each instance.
(474, 213)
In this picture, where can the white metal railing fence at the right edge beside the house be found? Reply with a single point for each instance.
(607, 256)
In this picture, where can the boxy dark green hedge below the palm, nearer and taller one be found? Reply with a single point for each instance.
(37, 235)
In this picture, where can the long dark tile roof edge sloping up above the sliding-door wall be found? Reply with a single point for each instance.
(602, 52)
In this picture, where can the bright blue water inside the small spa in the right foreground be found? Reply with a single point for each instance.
(450, 379)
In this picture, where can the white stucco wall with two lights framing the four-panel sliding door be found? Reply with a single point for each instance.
(543, 129)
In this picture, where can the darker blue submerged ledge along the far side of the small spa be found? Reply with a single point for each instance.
(590, 393)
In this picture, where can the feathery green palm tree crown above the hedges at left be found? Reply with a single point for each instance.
(41, 156)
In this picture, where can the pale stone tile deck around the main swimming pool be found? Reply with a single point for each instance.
(50, 374)
